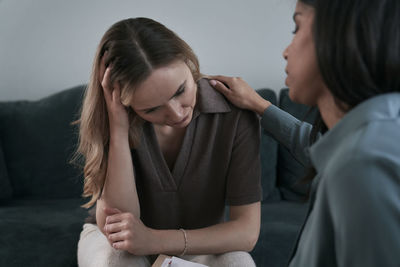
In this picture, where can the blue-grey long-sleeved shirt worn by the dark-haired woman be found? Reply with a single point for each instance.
(354, 213)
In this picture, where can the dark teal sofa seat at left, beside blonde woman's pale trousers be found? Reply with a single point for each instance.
(40, 232)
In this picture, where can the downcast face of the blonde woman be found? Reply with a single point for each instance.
(167, 96)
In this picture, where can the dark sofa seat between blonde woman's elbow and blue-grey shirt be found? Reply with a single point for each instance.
(280, 225)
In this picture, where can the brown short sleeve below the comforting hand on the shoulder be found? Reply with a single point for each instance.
(244, 173)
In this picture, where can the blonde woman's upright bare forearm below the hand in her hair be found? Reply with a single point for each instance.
(119, 189)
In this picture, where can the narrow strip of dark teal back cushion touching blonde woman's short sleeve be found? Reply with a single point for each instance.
(268, 155)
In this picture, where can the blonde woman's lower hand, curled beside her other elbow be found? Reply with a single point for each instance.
(126, 232)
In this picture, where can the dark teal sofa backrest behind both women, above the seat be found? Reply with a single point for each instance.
(37, 141)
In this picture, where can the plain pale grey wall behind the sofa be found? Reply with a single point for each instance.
(48, 45)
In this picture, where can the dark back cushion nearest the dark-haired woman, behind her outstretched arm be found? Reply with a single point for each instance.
(289, 170)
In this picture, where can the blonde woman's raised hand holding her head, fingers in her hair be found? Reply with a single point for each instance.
(117, 113)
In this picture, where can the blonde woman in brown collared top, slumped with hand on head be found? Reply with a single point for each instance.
(164, 154)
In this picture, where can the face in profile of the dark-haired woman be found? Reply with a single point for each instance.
(303, 75)
